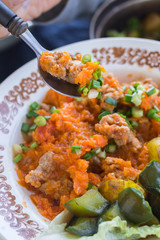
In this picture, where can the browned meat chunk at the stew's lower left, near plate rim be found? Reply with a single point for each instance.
(43, 171)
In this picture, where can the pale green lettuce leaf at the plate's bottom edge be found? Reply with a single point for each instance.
(116, 229)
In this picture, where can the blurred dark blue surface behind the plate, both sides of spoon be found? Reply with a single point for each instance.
(50, 37)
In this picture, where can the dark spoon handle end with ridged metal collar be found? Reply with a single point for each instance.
(15, 25)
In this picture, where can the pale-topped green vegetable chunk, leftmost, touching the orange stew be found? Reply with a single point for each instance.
(91, 204)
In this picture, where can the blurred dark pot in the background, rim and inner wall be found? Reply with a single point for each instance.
(114, 14)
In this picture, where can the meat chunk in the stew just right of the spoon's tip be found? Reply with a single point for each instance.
(111, 88)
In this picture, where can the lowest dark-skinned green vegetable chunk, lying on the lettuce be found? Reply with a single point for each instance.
(83, 226)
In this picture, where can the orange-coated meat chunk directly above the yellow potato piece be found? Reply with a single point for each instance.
(118, 168)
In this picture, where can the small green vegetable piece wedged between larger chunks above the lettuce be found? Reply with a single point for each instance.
(110, 213)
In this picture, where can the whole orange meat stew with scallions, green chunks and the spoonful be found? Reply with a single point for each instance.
(99, 155)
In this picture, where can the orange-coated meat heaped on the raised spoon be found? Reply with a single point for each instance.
(61, 65)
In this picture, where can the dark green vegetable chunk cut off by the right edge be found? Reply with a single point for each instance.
(149, 178)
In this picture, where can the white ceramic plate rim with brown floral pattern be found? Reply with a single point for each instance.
(128, 59)
